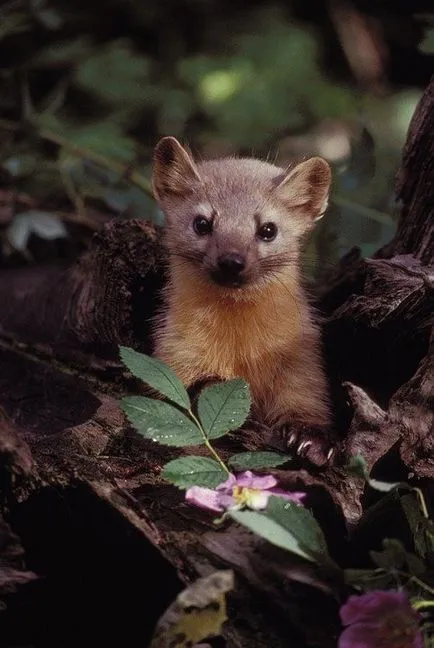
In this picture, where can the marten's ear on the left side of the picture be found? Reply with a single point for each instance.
(174, 169)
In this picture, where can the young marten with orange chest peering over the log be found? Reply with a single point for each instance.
(234, 302)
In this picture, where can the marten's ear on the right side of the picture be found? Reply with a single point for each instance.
(307, 186)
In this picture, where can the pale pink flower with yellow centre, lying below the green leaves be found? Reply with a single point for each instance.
(245, 489)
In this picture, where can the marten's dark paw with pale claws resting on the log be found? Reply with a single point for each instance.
(316, 444)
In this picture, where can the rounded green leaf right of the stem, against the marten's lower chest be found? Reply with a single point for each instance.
(224, 407)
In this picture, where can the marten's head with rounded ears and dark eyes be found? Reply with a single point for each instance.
(239, 221)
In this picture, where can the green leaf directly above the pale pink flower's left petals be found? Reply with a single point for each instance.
(194, 471)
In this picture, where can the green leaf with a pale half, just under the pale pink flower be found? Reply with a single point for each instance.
(288, 526)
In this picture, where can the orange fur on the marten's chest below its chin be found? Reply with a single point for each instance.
(205, 335)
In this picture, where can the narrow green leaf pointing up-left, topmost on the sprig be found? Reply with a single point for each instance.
(156, 374)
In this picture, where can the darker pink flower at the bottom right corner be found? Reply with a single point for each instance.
(380, 620)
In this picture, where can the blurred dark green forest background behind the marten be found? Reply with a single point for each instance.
(87, 88)
